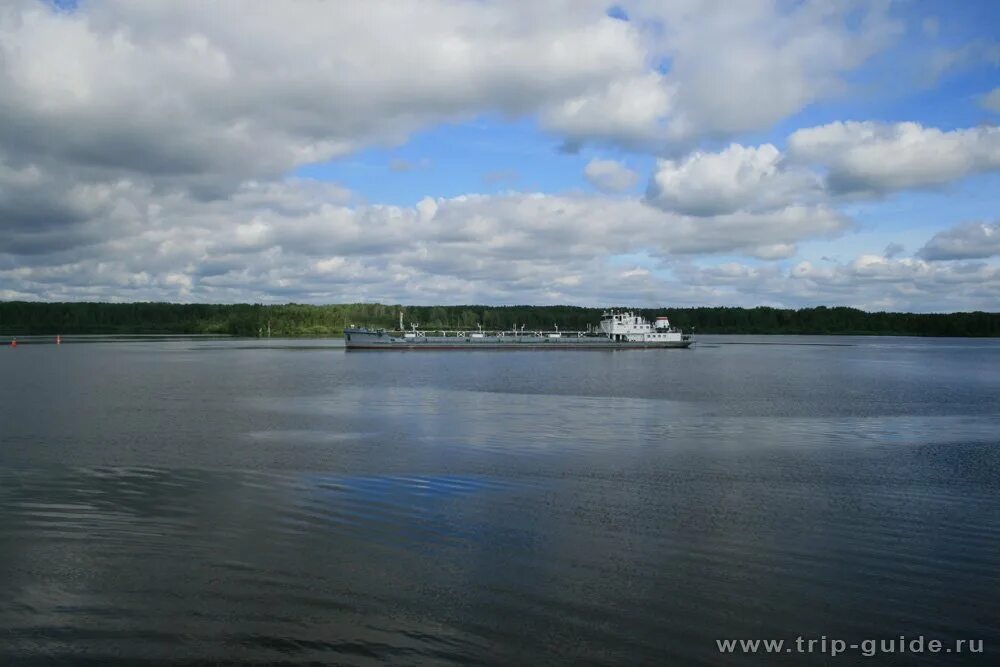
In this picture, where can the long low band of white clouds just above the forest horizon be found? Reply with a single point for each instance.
(304, 241)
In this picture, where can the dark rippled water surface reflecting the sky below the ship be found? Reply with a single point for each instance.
(278, 501)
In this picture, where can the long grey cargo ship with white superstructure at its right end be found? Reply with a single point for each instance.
(618, 329)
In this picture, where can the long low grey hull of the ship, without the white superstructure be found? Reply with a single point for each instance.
(358, 339)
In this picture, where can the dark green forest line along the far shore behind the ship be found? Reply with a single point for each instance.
(25, 318)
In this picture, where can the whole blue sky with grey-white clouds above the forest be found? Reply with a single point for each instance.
(467, 151)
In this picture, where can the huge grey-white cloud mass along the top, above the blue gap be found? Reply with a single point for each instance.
(213, 94)
